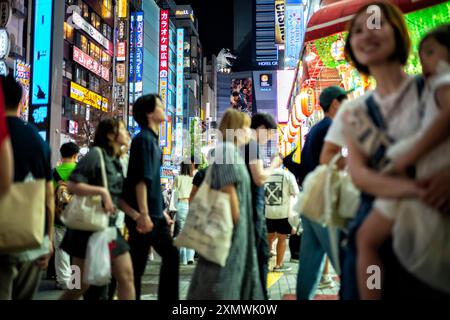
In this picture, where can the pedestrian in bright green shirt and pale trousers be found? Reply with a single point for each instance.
(69, 157)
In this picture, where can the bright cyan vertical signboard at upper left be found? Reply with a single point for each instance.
(42, 40)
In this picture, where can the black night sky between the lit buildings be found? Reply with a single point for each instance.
(215, 20)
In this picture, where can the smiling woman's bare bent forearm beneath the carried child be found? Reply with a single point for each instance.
(374, 183)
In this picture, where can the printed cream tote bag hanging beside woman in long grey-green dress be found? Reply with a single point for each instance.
(209, 224)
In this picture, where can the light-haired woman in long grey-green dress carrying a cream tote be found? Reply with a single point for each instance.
(239, 278)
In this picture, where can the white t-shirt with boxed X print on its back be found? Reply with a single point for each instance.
(279, 188)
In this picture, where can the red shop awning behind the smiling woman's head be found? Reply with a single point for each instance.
(334, 18)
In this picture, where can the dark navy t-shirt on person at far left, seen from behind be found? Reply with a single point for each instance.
(31, 152)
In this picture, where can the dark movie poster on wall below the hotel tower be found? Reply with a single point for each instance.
(241, 97)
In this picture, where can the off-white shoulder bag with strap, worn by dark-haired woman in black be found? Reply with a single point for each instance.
(86, 213)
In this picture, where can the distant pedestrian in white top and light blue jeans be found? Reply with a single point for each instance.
(183, 186)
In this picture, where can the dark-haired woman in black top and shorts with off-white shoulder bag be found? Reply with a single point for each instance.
(86, 179)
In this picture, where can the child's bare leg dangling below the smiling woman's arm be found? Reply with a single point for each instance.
(371, 236)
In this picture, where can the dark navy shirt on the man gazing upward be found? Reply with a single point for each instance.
(145, 165)
